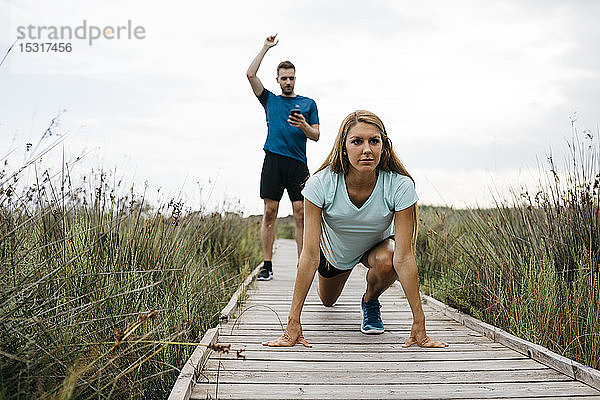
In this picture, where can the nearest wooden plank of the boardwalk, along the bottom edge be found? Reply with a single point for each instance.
(393, 391)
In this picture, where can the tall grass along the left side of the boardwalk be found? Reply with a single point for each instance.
(103, 296)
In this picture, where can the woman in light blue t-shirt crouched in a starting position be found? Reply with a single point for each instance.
(360, 206)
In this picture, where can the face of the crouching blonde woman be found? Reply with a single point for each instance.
(364, 147)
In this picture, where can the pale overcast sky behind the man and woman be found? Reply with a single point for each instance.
(472, 92)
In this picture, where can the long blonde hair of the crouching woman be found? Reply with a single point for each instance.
(337, 160)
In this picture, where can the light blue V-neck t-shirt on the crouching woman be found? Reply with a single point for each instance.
(348, 231)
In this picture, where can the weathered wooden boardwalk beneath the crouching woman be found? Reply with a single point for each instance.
(346, 364)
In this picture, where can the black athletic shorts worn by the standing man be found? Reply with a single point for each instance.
(280, 172)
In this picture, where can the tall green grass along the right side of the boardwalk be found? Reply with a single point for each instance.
(529, 265)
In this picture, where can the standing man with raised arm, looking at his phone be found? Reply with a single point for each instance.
(291, 119)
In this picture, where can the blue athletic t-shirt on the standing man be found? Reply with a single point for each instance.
(283, 138)
